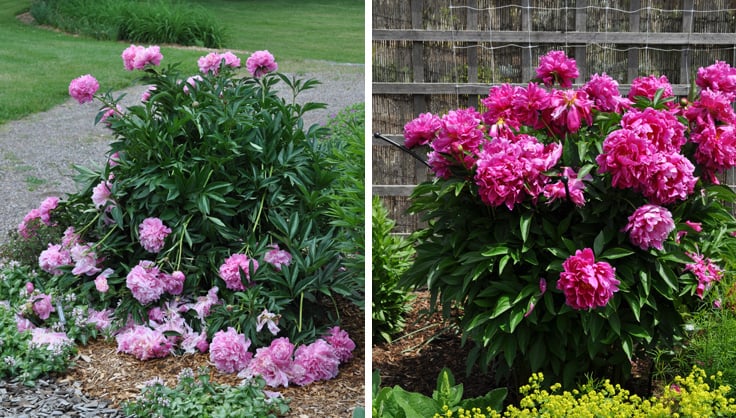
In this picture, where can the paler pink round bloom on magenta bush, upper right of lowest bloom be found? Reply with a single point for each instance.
(649, 226)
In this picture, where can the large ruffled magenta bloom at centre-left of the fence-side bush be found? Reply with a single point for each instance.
(509, 171)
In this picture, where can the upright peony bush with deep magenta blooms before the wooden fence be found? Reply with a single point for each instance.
(573, 226)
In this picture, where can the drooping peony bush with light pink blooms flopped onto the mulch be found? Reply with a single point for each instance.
(208, 229)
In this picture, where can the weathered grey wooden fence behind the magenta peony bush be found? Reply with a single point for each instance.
(436, 55)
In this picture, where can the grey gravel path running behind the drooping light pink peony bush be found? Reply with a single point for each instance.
(37, 153)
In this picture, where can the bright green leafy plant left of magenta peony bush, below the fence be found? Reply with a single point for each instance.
(392, 256)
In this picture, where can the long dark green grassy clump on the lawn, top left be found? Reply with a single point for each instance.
(137, 21)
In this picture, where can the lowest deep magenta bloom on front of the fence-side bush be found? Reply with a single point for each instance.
(585, 283)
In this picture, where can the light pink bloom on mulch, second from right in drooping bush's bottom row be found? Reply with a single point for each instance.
(314, 362)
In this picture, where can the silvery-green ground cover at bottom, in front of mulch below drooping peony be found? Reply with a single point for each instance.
(194, 395)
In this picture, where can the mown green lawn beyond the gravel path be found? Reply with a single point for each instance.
(36, 64)
